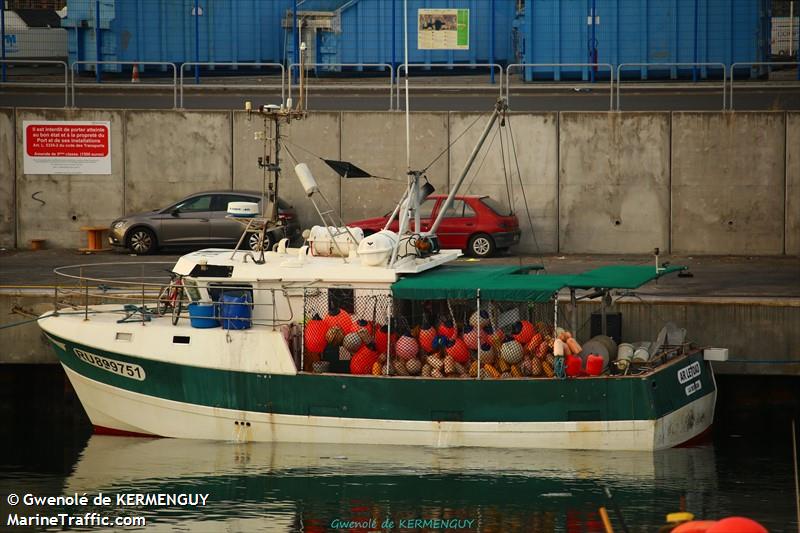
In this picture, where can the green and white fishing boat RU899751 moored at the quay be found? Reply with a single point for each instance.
(380, 339)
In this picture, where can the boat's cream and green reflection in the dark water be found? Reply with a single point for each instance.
(314, 487)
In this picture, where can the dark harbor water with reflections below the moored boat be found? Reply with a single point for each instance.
(48, 449)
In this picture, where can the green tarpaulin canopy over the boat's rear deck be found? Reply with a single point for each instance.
(518, 284)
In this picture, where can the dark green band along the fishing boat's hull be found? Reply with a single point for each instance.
(533, 400)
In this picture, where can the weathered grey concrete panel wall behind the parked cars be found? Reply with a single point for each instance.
(592, 182)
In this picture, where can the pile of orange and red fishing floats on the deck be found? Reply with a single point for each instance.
(448, 349)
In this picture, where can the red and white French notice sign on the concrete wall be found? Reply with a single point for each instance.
(66, 147)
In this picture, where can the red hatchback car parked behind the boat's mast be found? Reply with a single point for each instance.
(475, 224)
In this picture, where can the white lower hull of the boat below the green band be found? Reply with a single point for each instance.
(123, 411)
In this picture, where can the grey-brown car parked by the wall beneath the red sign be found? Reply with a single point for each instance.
(199, 220)
